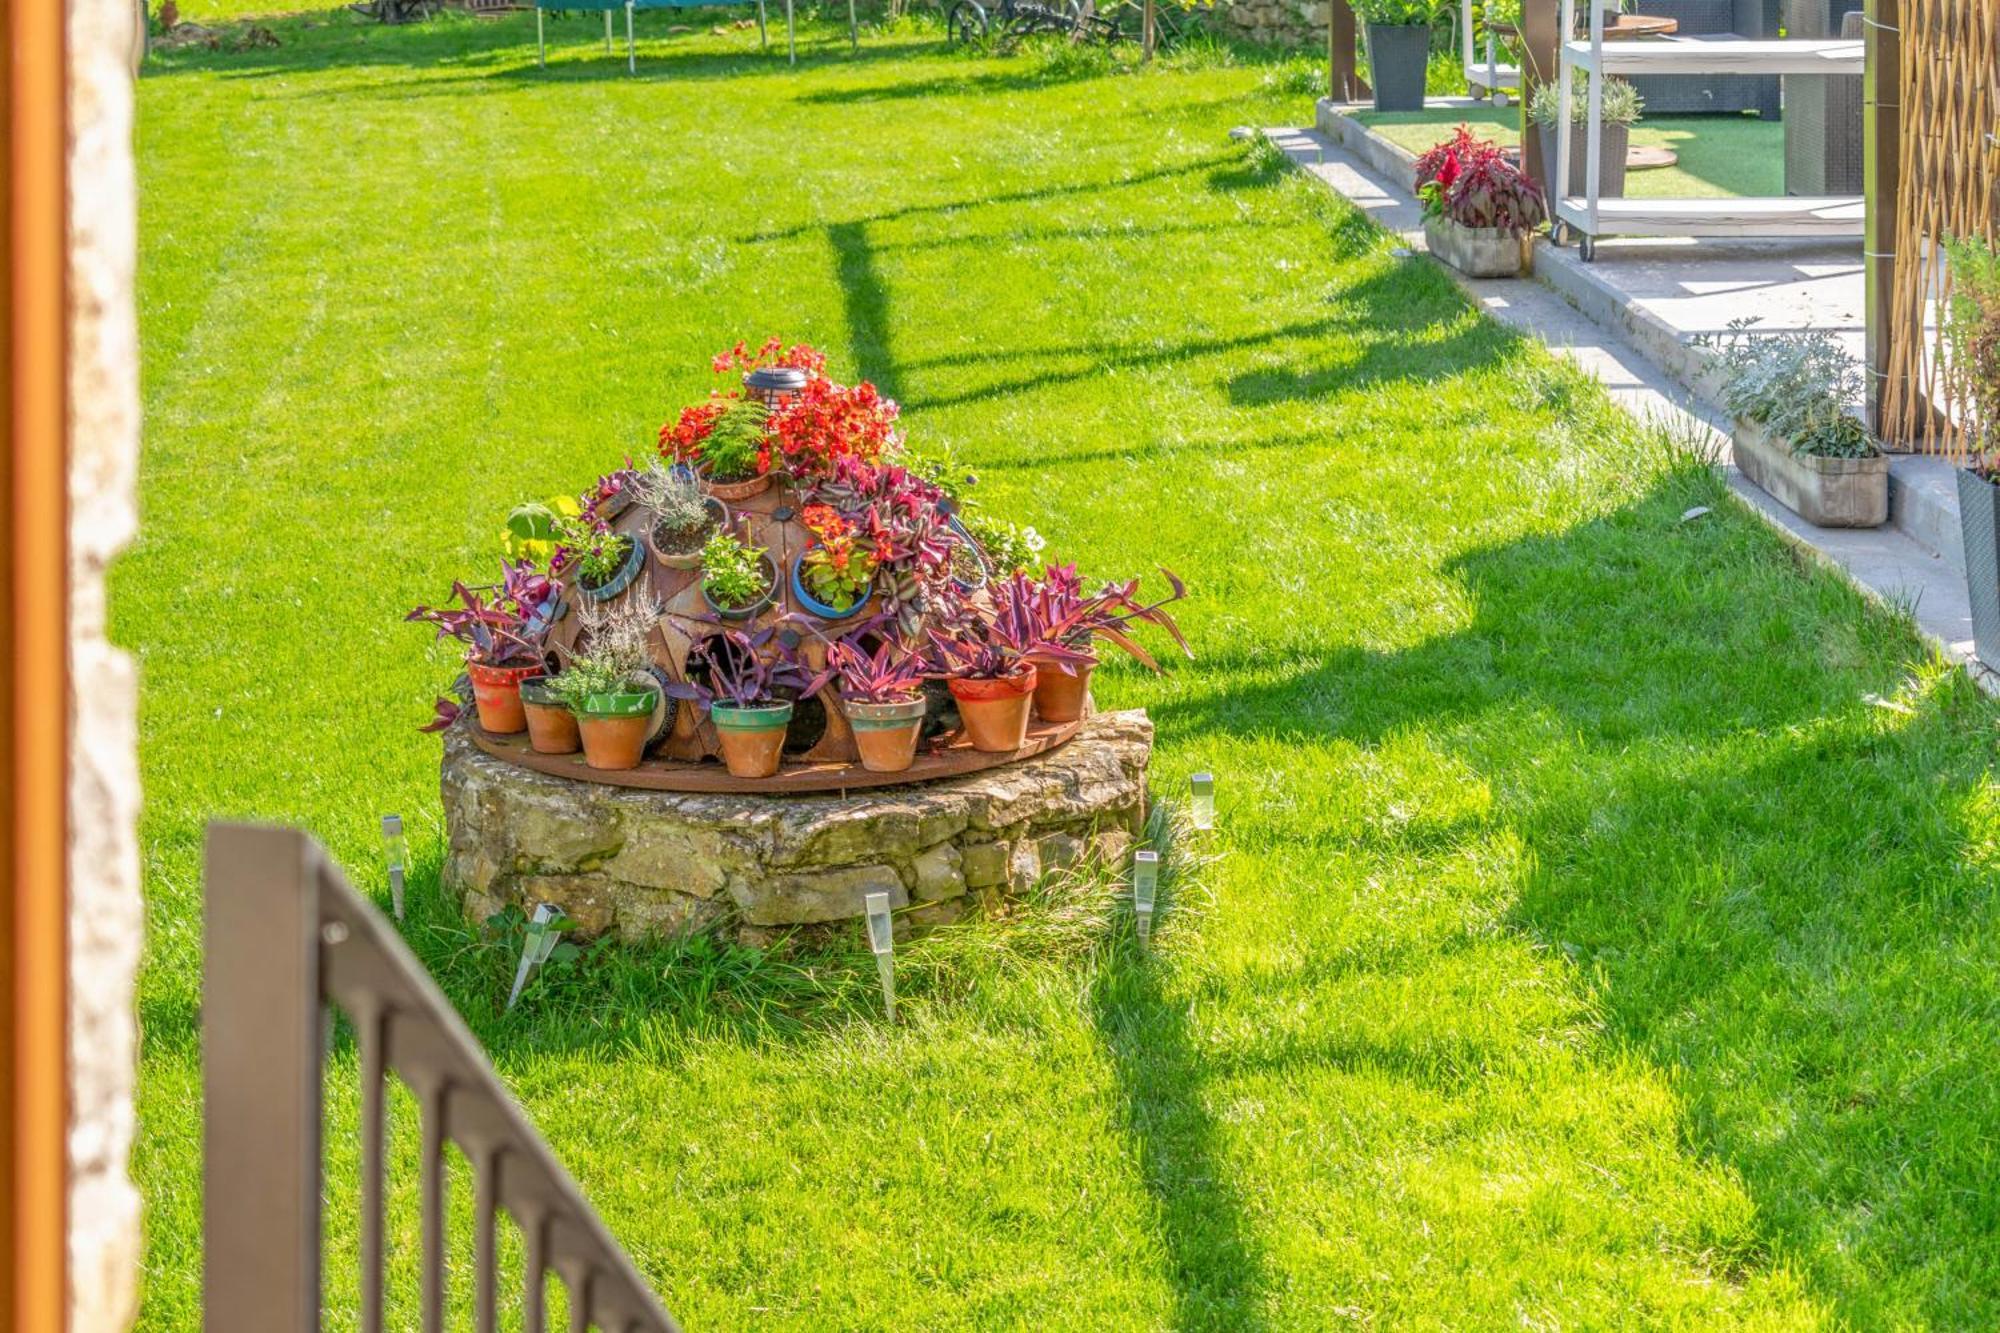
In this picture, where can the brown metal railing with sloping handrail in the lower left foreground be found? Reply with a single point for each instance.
(285, 938)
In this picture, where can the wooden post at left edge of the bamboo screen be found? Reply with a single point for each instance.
(1883, 183)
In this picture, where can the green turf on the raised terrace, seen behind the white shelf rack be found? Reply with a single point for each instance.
(1721, 157)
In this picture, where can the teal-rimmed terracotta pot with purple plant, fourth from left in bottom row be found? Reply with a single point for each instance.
(747, 682)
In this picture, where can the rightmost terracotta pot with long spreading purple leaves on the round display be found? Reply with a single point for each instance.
(1061, 611)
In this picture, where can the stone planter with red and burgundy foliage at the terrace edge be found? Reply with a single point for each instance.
(1479, 211)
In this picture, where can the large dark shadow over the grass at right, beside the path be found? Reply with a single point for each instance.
(1779, 890)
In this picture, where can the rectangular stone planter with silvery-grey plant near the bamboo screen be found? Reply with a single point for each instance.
(1793, 433)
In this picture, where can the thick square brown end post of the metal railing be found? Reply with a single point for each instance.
(261, 1080)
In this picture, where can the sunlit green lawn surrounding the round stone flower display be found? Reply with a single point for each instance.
(1601, 922)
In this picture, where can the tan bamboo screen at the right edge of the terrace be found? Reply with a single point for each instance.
(1949, 169)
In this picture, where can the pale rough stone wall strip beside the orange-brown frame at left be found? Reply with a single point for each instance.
(105, 900)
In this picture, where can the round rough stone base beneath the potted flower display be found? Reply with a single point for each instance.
(641, 862)
